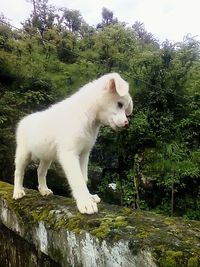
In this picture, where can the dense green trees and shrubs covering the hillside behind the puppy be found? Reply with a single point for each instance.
(155, 163)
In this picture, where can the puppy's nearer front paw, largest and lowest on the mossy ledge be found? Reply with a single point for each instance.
(86, 205)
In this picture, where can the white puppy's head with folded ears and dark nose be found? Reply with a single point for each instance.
(116, 103)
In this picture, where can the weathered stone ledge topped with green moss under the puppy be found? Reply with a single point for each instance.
(116, 236)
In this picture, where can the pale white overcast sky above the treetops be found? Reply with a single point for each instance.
(166, 19)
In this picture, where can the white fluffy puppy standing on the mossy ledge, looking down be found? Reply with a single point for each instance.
(67, 132)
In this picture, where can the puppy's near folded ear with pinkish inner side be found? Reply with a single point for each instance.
(118, 86)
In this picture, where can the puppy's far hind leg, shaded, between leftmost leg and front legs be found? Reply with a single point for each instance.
(42, 172)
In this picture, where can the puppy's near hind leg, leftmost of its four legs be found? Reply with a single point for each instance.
(22, 159)
